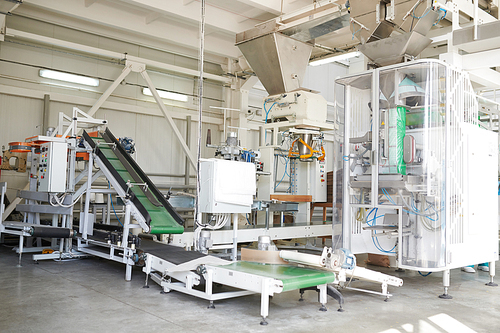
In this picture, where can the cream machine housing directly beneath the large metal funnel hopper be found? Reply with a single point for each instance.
(296, 106)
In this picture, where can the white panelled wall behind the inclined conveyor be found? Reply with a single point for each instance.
(129, 112)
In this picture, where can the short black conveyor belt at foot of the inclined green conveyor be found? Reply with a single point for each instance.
(174, 254)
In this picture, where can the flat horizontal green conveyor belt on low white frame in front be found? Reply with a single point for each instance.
(293, 277)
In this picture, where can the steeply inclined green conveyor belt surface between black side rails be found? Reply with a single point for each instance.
(161, 220)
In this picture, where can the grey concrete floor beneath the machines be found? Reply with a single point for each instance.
(91, 295)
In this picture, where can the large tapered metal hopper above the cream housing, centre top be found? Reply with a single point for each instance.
(279, 61)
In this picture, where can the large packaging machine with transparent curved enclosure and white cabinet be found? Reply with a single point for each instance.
(437, 210)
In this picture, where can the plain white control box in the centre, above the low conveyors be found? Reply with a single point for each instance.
(226, 186)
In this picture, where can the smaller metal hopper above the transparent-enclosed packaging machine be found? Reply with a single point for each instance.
(393, 50)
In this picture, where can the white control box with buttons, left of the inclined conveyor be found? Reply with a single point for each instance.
(52, 167)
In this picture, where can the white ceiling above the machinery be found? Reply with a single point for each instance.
(163, 24)
